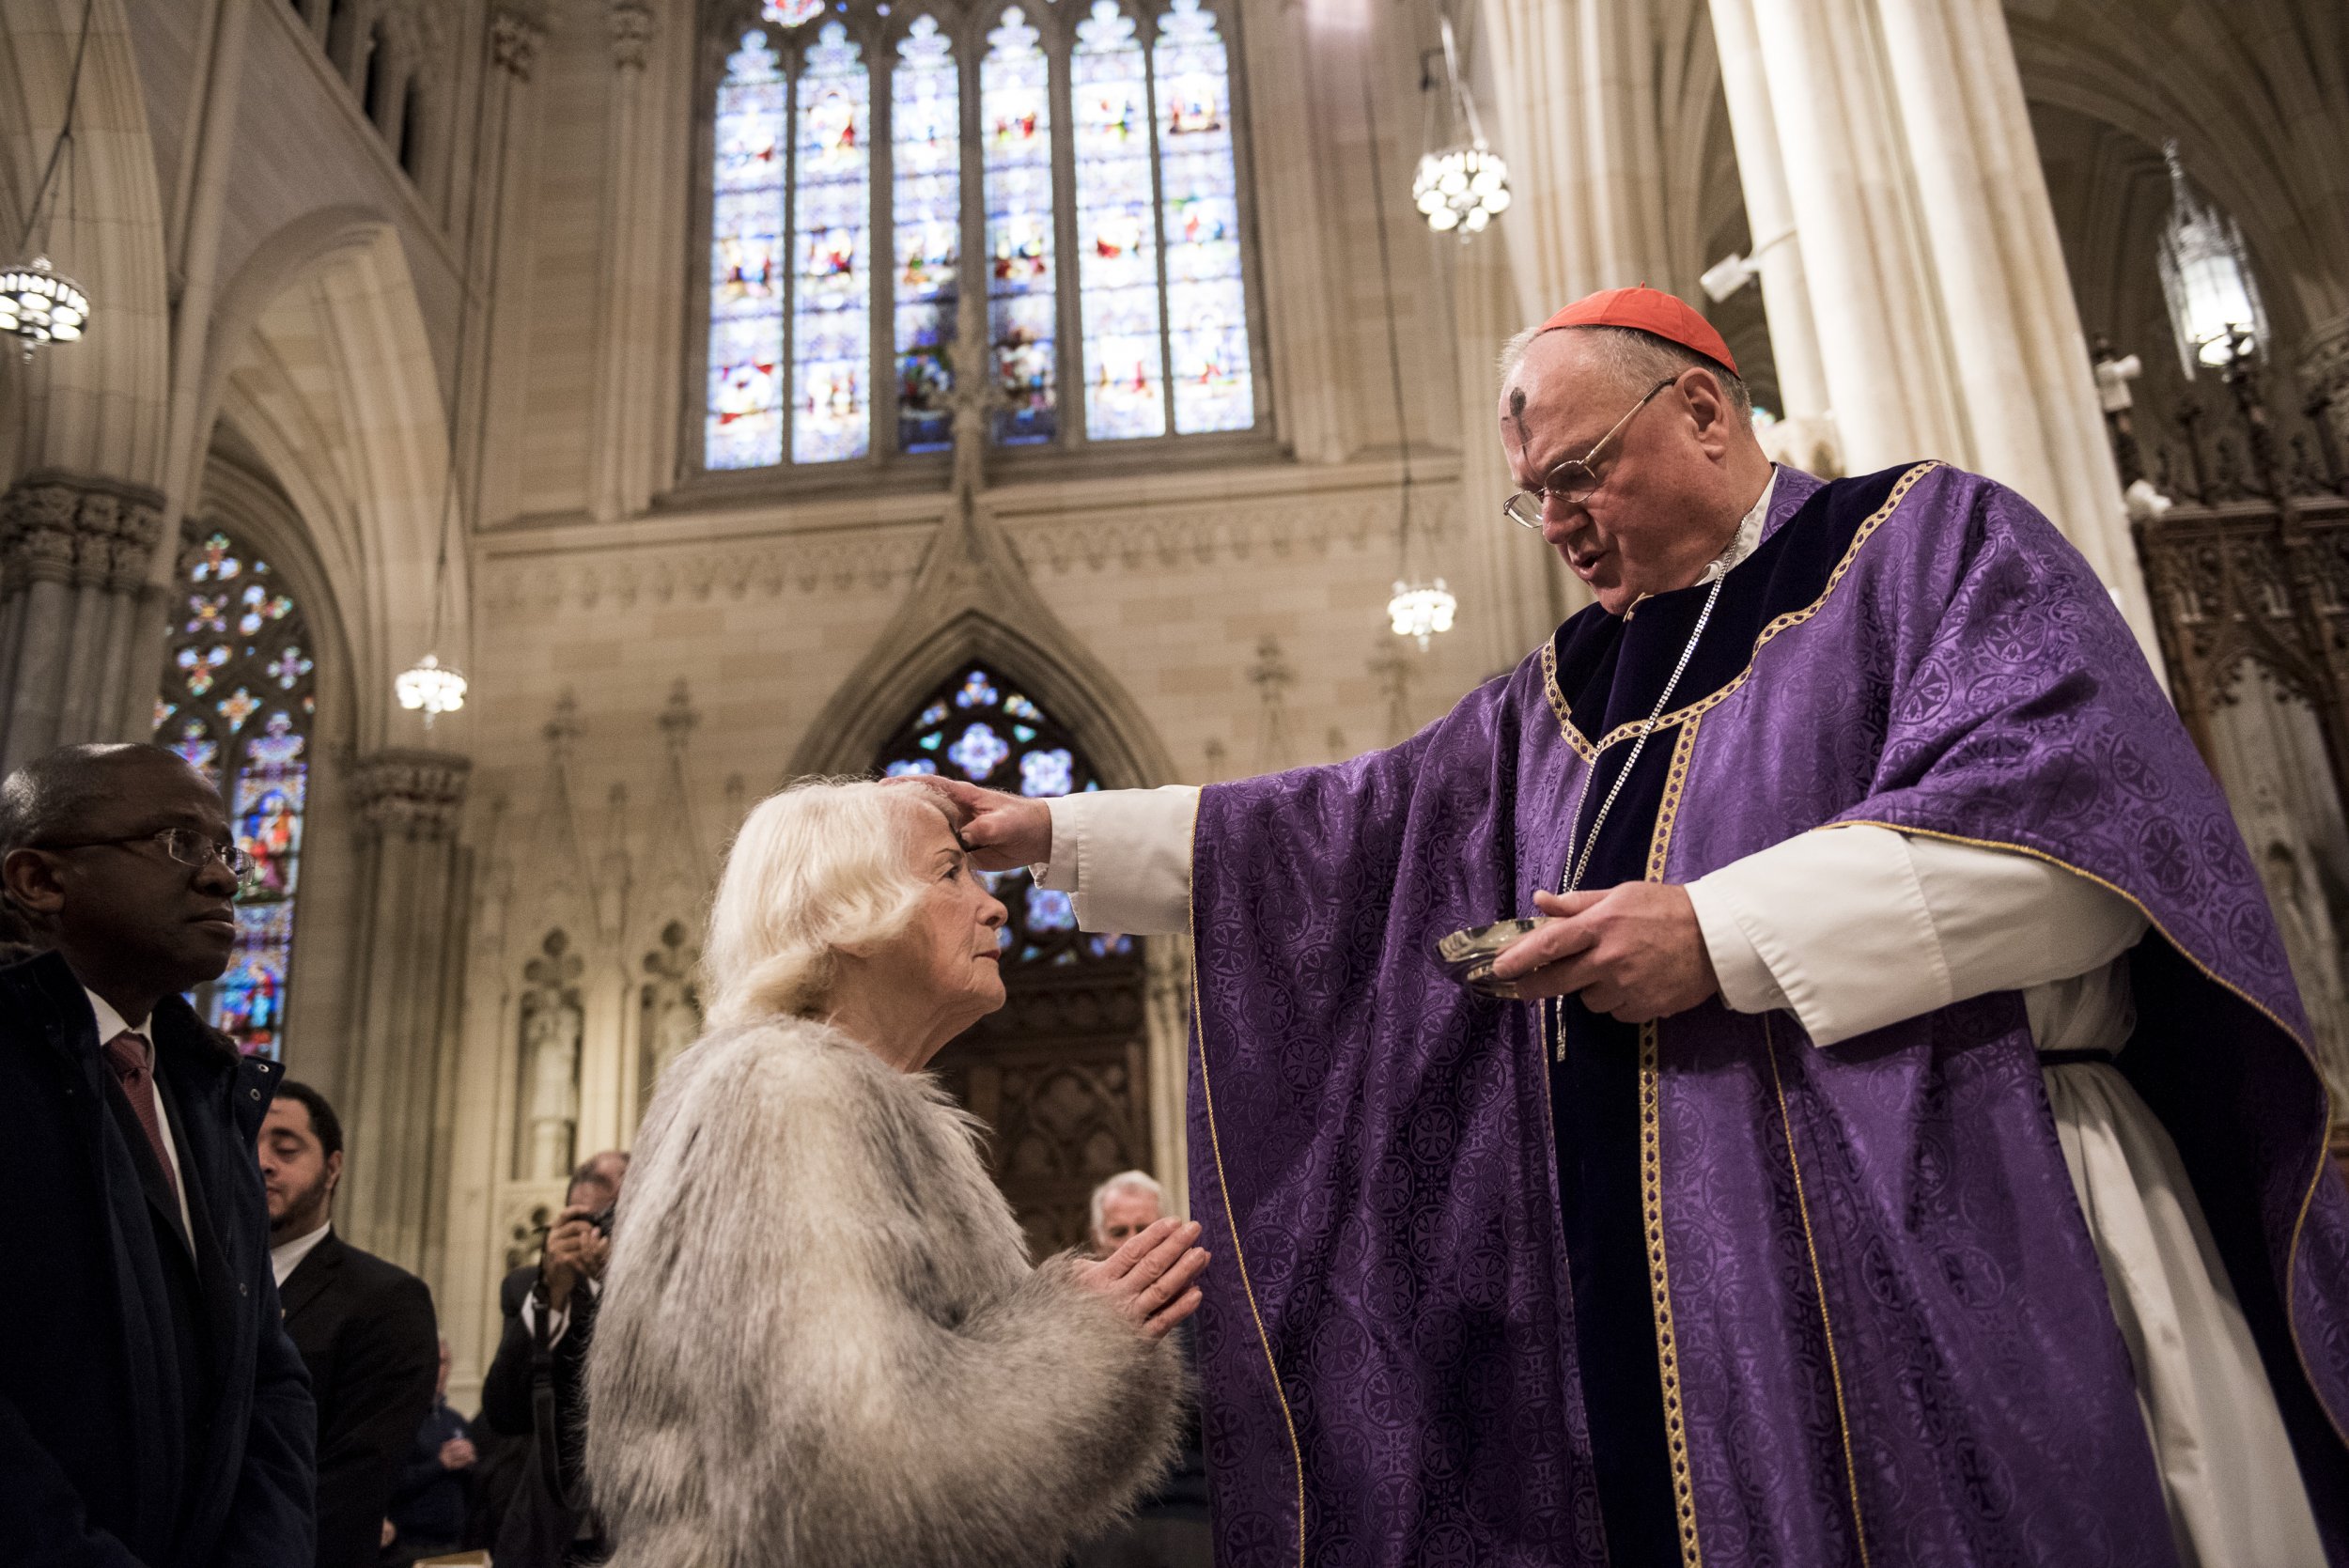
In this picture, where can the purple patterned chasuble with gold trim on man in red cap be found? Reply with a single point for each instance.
(1704, 1290)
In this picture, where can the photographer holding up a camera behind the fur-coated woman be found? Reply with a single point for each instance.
(534, 1386)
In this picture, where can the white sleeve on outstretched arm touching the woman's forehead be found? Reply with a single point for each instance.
(1124, 856)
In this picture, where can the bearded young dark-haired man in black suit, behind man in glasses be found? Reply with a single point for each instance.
(363, 1327)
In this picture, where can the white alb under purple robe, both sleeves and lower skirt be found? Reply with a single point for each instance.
(1852, 931)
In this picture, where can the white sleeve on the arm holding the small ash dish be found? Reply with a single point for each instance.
(1864, 926)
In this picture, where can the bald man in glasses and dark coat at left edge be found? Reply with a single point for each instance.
(152, 1410)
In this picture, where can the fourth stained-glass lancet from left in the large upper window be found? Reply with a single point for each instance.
(1016, 128)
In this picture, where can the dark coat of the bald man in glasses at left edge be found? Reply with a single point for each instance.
(152, 1405)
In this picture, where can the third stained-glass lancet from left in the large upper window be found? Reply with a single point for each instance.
(927, 142)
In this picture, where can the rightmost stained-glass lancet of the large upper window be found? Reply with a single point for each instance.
(1202, 227)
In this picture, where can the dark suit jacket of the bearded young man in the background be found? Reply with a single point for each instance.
(365, 1330)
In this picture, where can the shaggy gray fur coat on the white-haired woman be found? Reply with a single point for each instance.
(821, 1341)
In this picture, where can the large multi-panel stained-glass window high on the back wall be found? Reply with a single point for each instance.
(1084, 154)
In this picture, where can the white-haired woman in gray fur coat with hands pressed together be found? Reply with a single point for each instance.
(821, 1339)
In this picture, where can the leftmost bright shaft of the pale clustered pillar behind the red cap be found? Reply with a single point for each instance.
(1770, 217)
